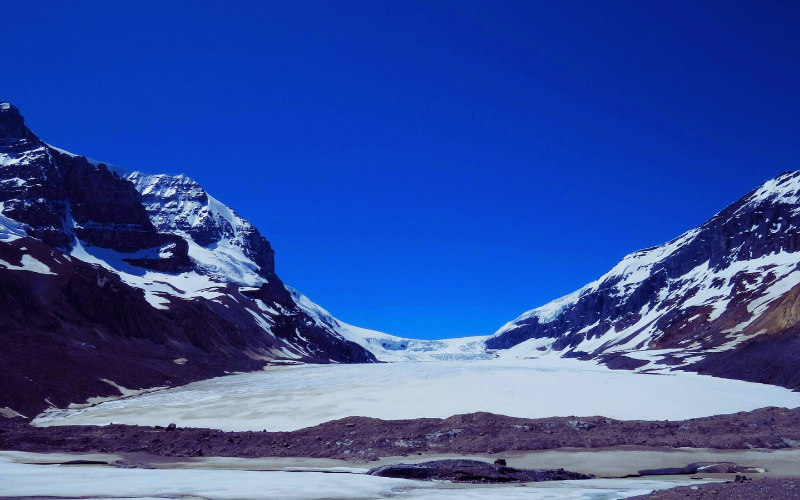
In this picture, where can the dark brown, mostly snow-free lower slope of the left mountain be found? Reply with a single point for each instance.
(61, 334)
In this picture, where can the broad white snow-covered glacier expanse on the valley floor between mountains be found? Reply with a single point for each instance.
(287, 398)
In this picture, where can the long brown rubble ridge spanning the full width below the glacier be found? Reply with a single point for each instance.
(361, 439)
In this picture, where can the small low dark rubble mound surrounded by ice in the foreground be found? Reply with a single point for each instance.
(473, 471)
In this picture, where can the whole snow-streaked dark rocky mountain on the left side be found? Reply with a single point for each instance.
(112, 283)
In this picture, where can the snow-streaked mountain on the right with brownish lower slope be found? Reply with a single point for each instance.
(721, 299)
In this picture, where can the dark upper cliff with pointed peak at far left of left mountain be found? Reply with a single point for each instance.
(62, 197)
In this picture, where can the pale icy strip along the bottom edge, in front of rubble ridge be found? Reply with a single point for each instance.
(19, 479)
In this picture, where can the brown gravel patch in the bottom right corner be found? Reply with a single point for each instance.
(763, 489)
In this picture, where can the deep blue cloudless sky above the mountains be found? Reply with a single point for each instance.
(429, 169)
